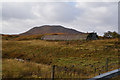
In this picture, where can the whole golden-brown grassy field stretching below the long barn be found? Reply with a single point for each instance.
(81, 54)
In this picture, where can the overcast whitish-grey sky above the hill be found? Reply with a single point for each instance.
(18, 17)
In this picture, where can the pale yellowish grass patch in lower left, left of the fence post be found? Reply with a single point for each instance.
(17, 69)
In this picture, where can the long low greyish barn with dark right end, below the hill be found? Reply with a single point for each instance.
(82, 36)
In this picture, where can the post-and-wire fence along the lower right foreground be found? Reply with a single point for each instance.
(74, 72)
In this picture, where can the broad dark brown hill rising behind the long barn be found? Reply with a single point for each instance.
(48, 29)
